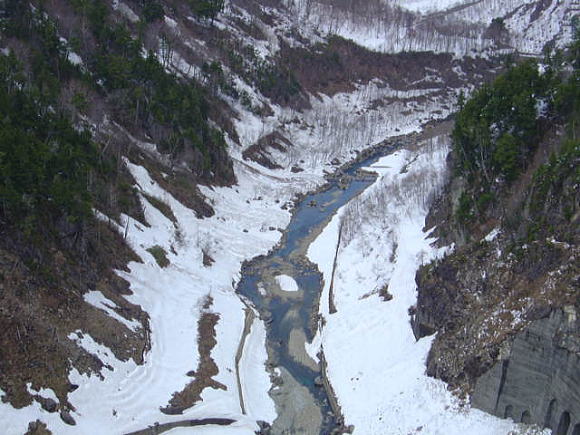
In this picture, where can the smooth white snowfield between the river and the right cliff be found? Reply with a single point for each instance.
(375, 365)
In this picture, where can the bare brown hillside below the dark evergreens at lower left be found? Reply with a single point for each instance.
(41, 304)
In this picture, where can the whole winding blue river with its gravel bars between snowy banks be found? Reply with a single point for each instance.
(303, 401)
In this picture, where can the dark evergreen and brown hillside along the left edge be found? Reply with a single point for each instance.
(67, 127)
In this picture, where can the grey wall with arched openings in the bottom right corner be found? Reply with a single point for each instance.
(539, 382)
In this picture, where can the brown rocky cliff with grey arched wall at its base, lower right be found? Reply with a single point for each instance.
(508, 330)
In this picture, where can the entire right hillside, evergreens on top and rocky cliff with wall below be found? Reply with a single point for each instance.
(512, 209)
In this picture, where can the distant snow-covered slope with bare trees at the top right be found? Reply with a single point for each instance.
(455, 26)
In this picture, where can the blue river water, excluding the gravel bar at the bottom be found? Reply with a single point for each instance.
(294, 313)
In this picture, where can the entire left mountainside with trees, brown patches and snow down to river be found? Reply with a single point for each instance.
(166, 140)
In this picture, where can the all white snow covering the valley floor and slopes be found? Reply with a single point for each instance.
(385, 371)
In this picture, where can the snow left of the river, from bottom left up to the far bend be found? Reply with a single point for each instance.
(132, 394)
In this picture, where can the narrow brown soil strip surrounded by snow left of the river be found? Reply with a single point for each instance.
(206, 368)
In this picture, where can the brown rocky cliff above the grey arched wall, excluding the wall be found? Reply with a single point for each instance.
(480, 299)
